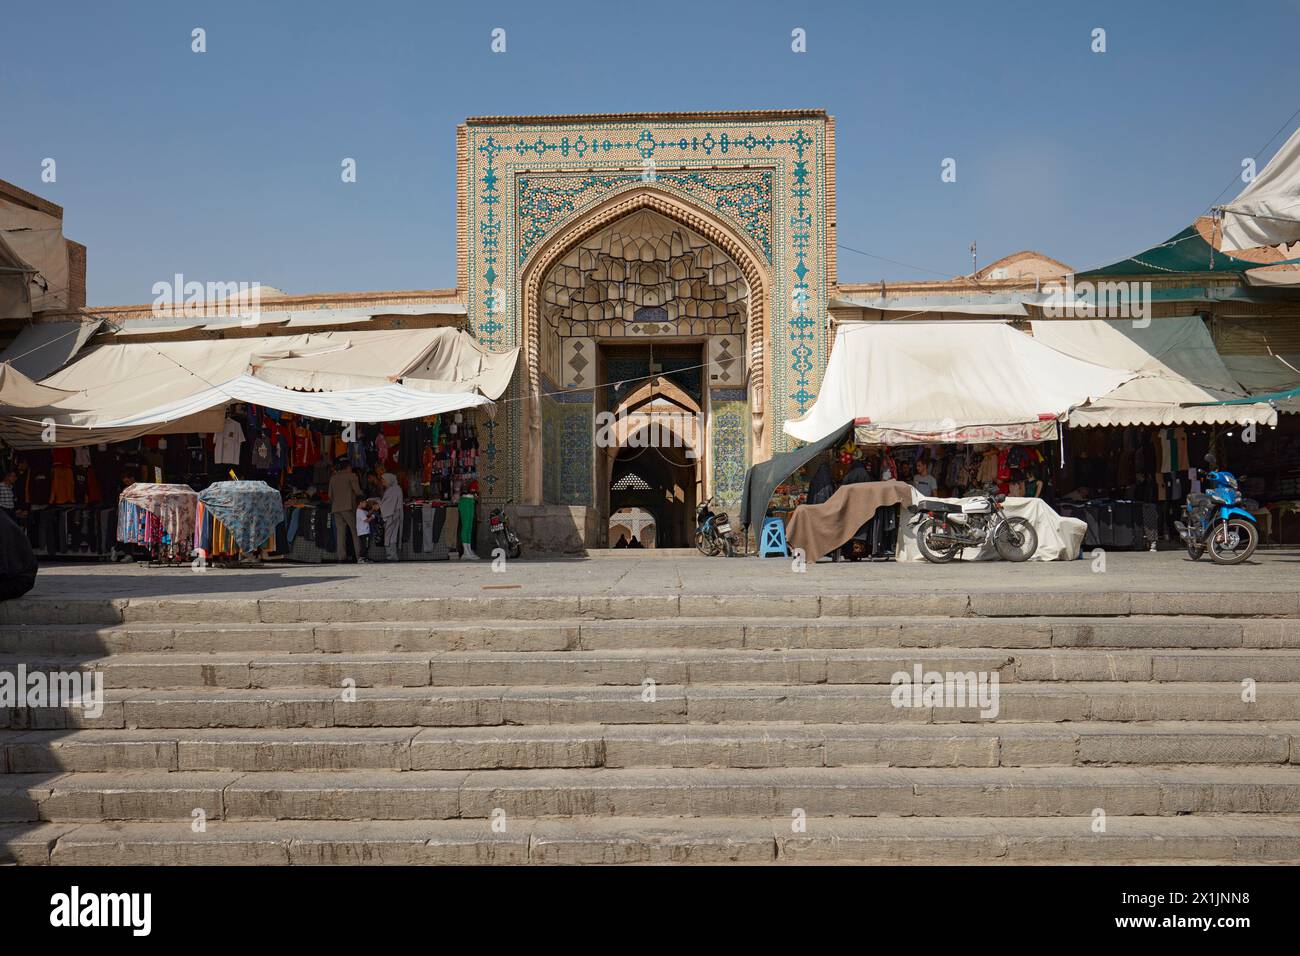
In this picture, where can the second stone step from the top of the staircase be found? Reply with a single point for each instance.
(222, 635)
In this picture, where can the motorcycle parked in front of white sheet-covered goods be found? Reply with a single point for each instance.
(944, 530)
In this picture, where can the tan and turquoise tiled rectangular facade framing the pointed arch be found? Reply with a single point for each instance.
(527, 180)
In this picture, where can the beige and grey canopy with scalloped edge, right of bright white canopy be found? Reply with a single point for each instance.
(1178, 370)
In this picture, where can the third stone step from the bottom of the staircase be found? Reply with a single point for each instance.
(648, 746)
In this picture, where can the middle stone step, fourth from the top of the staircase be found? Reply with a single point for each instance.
(465, 707)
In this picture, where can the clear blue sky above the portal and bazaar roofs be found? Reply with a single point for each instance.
(226, 166)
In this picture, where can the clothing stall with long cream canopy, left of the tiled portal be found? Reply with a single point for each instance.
(215, 410)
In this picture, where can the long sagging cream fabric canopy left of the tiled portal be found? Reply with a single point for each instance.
(125, 391)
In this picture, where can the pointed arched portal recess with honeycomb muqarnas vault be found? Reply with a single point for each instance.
(647, 287)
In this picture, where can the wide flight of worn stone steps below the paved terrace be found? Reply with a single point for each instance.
(569, 730)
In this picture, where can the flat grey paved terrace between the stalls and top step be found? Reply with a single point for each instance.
(648, 573)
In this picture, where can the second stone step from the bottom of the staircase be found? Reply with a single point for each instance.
(640, 793)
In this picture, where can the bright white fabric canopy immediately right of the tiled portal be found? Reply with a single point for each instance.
(917, 383)
